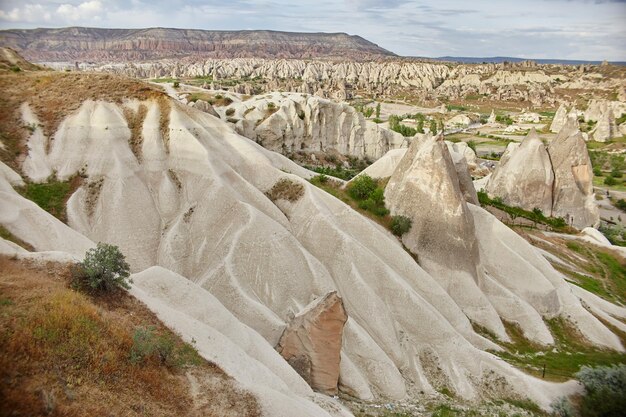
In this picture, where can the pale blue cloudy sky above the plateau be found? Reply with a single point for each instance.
(540, 29)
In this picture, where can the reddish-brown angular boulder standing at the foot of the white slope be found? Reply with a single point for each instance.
(311, 343)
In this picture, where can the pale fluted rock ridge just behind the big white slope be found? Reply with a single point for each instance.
(288, 122)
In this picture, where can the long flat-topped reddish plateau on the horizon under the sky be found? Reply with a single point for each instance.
(127, 45)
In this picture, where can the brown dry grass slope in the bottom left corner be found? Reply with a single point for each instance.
(64, 353)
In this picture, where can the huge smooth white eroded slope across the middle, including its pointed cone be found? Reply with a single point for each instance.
(186, 199)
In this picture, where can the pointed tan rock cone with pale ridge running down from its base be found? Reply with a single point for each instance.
(425, 182)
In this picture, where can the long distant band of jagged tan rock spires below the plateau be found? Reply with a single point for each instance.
(525, 84)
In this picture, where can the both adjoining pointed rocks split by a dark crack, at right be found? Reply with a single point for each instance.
(556, 179)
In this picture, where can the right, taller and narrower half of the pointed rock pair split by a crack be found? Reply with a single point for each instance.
(572, 195)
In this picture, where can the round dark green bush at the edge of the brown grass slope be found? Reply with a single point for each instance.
(103, 270)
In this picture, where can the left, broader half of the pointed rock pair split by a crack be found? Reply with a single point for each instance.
(524, 178)
